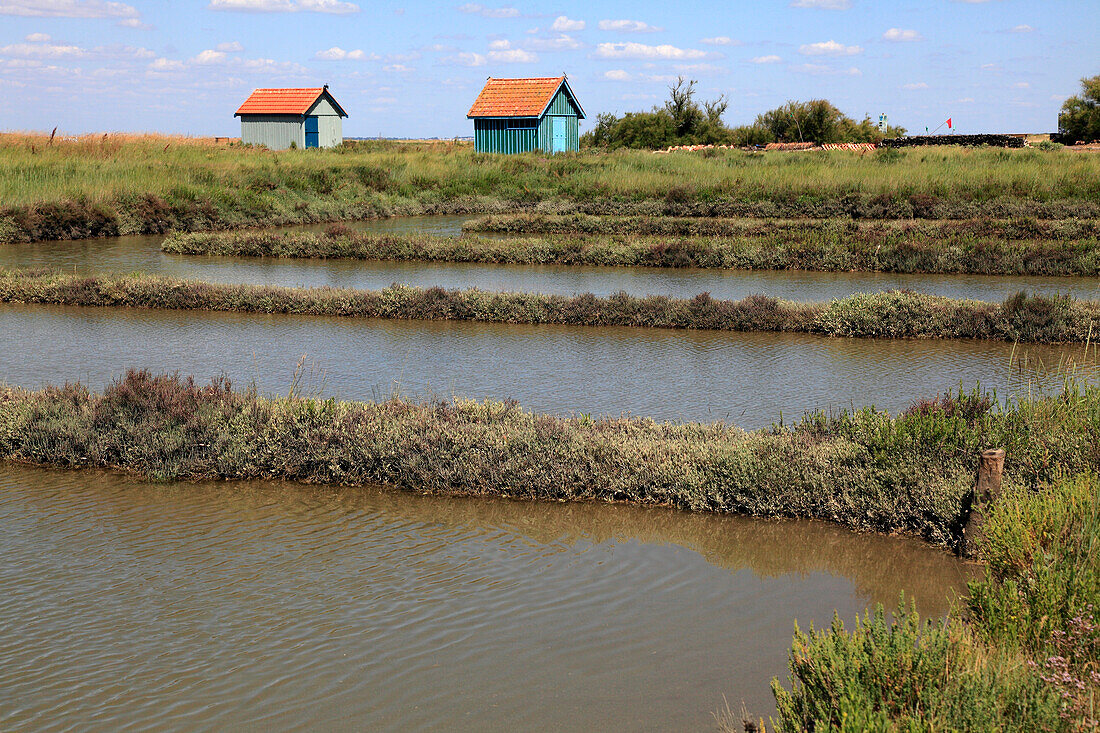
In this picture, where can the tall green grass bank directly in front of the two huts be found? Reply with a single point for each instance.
(111, 185)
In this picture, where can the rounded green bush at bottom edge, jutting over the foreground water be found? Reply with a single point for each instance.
(903, 674)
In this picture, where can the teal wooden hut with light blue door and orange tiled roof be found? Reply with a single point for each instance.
(520, 116)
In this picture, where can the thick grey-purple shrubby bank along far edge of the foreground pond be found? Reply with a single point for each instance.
(866, 469)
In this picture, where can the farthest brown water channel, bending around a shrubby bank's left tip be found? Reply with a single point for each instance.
(126, 255)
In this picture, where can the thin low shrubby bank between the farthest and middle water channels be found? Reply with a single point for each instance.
(879, 315)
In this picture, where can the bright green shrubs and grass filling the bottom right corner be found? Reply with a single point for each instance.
(1024, 654)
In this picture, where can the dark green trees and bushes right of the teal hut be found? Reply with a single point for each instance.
(684, 122)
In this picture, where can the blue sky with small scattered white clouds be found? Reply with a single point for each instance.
(413, 69)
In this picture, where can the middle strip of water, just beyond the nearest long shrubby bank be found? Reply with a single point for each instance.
(747, 379)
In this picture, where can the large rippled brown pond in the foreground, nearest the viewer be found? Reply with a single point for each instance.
(272, 607)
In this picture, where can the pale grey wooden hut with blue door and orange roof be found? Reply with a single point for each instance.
(279, 118)
